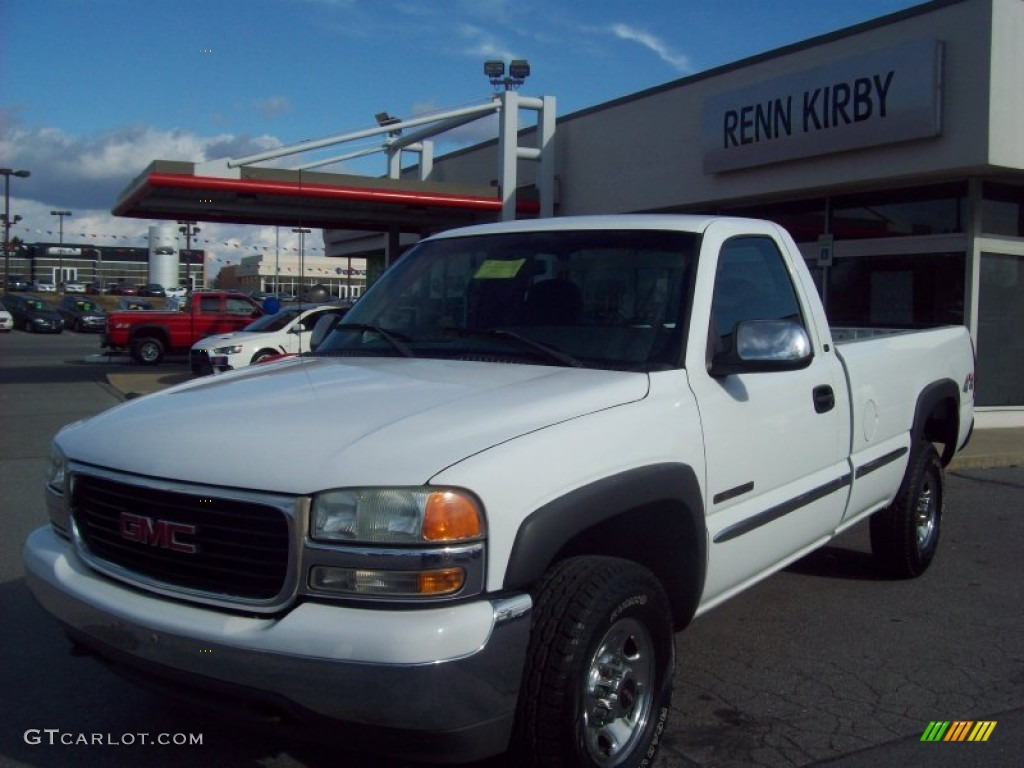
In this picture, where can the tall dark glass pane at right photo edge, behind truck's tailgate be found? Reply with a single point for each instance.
(1001, 316)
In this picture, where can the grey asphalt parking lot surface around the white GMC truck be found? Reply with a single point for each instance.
(823, 665)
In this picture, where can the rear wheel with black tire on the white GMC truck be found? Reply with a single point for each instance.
(906, 535)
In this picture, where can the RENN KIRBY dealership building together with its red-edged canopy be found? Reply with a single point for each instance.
(892, 151)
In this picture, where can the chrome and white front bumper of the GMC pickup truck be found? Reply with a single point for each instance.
(447, 677)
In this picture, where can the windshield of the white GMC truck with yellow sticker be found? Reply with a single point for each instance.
(609, 300)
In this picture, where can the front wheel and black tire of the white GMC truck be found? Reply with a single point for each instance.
(598, 682)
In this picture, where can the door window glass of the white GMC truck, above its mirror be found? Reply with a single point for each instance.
(752, 284)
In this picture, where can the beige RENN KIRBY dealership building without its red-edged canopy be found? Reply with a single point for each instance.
(893, 152)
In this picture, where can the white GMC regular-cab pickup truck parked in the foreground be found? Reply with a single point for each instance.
(474, 521)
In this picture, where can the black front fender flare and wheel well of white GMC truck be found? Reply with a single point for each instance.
(654, 516)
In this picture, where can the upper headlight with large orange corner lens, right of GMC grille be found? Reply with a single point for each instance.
(397, 517)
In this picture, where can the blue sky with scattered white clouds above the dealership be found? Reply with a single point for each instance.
(93, 91)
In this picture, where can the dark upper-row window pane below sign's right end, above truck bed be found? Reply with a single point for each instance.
(934, 210)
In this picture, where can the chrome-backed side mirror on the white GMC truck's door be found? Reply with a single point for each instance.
(763, 347)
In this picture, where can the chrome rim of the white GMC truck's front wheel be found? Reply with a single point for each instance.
(620, 689)
